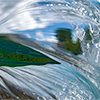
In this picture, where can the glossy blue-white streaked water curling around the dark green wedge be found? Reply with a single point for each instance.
(78, 75)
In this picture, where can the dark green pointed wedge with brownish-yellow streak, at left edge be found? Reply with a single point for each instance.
(13, 54)
